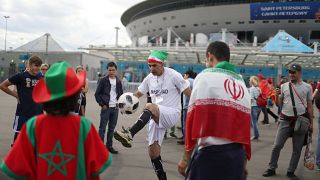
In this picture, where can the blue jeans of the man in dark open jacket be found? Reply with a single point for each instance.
(108, 117)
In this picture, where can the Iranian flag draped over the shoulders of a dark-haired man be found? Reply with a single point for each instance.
(219, 107)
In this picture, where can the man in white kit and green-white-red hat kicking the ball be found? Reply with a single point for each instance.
(165, 86)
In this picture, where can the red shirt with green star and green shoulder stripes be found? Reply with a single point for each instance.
(57, 147)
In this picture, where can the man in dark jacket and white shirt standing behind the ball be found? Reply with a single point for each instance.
(107, 94)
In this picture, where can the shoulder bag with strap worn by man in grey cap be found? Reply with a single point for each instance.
(302, 123)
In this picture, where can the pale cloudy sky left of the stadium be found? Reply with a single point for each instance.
(72, 23)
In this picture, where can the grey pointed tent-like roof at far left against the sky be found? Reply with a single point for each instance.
(44, 43)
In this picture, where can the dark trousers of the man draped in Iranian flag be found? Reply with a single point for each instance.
(218, 162)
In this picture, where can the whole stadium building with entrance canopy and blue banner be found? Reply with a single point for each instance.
(246, 25)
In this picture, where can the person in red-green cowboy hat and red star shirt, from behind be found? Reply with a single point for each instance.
(59, 144)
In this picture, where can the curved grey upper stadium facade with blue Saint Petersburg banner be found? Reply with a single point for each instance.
(244, 18)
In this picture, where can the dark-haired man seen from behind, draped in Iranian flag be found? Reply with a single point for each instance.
(218, 121)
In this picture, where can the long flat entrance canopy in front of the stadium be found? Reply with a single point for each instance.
(247, 56)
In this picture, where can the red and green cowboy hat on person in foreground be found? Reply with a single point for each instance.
(60, 81)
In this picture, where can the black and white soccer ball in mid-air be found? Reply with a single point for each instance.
(128, 103)
